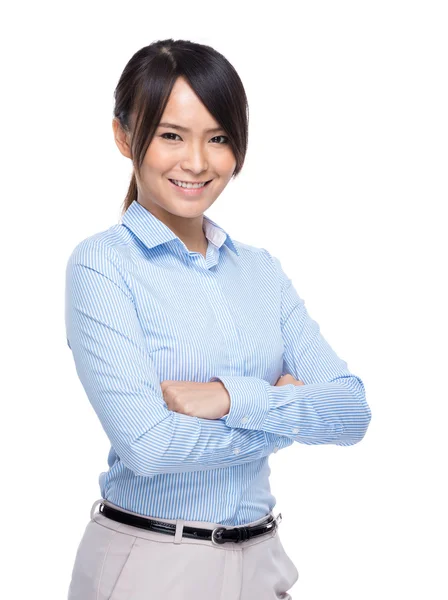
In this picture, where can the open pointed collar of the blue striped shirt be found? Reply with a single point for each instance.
(152, 231)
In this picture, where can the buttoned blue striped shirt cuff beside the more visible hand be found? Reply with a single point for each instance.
(249, 401)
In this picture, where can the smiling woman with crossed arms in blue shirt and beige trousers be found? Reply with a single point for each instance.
(196, 352)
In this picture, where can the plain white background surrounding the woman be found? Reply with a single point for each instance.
(345, 181)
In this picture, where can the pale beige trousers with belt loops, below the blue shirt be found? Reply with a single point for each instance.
(115, 561)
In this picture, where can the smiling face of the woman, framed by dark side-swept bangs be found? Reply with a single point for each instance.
(193, 154)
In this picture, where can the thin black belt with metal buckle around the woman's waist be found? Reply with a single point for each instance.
(219, 535)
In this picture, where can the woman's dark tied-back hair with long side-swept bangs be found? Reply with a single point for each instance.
(145, 85)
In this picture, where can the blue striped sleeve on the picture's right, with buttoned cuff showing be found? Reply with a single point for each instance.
(330, 408)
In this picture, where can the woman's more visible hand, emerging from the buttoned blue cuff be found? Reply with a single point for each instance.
(205, 400)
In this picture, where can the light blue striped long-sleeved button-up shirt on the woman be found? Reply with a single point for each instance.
(140, 309)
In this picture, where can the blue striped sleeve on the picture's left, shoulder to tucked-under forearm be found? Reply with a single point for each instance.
(122, 385)
